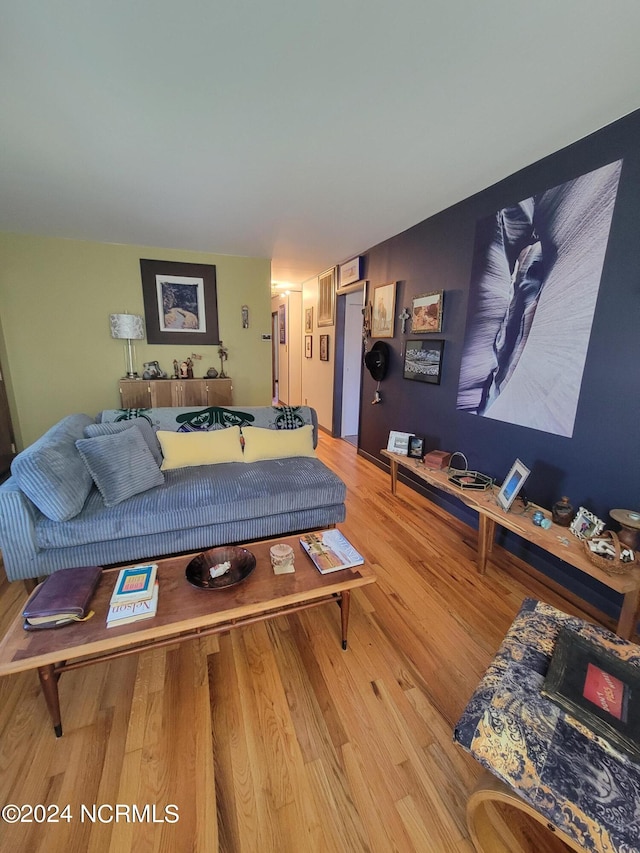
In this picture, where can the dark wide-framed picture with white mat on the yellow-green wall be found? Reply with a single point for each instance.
(180, 302)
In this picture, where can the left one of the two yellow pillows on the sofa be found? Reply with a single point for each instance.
(185, 449)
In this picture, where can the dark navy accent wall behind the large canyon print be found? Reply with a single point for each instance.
(599, 467)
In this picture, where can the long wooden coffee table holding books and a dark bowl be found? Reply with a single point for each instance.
(184, 612)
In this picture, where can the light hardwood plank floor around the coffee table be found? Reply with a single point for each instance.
(271, 738)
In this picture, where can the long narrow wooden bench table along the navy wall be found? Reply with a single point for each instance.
(557, 540)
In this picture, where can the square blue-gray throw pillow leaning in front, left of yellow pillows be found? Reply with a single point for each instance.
(121, 465)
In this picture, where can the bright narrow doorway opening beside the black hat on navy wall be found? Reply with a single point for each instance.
(352, 367)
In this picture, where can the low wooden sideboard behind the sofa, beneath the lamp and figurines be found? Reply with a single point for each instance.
(153, 393)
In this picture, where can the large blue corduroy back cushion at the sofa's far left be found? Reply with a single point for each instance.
(51, 472)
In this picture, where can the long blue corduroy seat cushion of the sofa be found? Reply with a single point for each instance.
(202, 496)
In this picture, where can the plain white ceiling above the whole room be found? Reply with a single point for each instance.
(301, 130)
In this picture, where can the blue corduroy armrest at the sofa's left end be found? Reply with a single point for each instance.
(17, 531)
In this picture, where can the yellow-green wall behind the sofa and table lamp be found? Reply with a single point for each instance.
(55, 300)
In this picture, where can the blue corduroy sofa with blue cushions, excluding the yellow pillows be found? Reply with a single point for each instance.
(55, 512)
